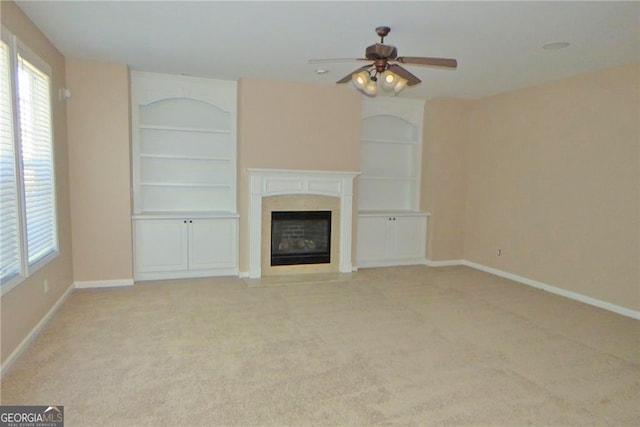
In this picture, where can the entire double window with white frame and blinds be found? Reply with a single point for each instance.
(27, 195)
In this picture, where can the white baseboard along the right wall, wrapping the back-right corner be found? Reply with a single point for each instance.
(534, 283)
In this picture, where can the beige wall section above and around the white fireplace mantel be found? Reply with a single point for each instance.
(286, 125)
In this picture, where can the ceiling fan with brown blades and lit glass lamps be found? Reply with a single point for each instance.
(384, 57)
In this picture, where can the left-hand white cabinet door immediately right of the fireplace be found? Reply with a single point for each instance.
(373, 238)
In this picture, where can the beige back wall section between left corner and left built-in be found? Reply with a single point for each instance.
(100, 177)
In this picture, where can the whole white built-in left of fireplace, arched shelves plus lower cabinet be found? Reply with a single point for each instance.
(184, 175)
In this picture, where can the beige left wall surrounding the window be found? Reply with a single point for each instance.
(24, 306)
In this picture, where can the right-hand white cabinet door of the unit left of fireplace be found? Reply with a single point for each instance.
(212, 243)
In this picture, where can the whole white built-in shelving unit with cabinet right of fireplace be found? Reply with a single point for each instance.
(391, 229)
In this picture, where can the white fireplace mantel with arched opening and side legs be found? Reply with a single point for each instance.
(276, 182)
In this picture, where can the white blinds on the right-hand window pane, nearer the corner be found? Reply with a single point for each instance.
(36, 149)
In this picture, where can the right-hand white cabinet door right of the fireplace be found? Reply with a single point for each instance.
(410, 232)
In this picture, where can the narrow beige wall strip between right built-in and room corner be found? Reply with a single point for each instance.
(444, 178)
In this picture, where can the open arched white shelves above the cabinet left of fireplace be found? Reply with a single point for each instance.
(184, 143)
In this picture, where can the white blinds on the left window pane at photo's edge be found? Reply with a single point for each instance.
(9, 228)
